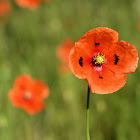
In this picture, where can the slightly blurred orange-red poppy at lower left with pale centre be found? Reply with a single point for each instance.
(28, 94)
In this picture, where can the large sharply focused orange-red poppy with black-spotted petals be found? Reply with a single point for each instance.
(102, 60)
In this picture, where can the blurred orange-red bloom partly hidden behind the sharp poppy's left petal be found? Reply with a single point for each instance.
(63, 54)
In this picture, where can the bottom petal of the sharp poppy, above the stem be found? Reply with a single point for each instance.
(105, 81)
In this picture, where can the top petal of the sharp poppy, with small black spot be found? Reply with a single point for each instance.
(100, 38)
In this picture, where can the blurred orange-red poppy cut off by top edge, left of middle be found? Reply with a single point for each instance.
(31, 4)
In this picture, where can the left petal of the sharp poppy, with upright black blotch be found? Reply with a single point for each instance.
(79, 60)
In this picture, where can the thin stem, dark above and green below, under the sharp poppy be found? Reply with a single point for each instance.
(87, 120)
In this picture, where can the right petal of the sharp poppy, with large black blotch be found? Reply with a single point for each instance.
(122, 58)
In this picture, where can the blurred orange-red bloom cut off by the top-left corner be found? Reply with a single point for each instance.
(5, 8)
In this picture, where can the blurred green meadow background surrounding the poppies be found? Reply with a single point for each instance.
(28, 44)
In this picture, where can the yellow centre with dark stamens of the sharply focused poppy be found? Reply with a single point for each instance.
(99, 59)
